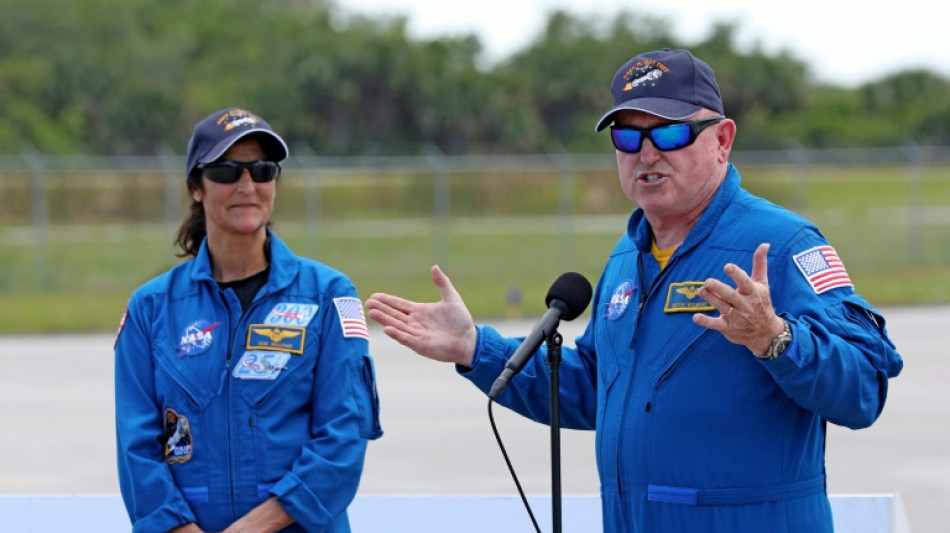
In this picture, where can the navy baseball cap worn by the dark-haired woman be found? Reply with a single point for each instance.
(219, 131)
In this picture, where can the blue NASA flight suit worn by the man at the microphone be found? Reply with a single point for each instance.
(693, 432)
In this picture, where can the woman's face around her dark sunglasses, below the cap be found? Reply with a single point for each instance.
(240, 208)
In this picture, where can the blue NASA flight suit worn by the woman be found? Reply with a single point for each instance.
(219, 408)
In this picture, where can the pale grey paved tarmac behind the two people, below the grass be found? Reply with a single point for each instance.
(57, 433)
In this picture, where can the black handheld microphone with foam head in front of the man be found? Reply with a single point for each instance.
(567, 298)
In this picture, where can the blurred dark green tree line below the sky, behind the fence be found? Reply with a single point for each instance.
(116, 77)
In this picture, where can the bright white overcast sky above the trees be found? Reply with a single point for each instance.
(845, 42)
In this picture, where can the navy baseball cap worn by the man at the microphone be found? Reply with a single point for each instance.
(672, 84)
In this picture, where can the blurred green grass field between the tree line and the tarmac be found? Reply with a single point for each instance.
(502, 236)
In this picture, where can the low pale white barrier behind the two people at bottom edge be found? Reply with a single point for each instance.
(853, 513)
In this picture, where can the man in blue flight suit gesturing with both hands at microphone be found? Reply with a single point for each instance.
(724, 331)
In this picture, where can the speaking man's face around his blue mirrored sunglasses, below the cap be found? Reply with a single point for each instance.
(674, 187)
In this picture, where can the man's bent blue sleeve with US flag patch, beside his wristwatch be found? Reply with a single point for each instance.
(841, 356)
